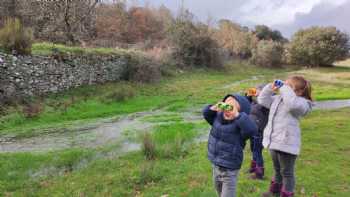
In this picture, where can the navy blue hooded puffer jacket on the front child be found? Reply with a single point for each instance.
(227, 137)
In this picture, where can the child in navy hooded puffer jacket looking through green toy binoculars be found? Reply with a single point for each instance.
(230, 129)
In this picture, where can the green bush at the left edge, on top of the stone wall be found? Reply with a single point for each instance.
(15, 37)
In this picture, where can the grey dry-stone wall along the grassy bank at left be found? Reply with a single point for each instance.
(37, 75)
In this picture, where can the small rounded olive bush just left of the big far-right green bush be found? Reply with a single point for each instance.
(268, 54)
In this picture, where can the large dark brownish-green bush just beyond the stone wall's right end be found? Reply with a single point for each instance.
(193, 45)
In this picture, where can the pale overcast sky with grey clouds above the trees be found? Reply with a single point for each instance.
(284, 15)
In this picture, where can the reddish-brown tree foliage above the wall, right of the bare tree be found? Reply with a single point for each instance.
(116, 24)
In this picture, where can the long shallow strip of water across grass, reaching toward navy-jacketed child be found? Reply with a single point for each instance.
(93, 135)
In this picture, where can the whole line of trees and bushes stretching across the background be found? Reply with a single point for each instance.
(189, 42)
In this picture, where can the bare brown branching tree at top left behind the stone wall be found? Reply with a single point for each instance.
(69, 21)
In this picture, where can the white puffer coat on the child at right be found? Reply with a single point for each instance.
(283, 132)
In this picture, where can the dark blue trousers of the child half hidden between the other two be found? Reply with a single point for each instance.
(256, 147)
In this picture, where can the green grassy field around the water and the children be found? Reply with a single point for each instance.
(179, 166)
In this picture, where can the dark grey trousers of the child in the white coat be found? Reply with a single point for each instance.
(284, 164)
